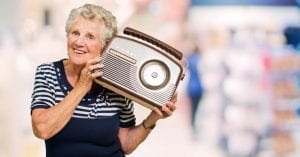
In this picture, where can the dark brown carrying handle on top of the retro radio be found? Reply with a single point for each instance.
(152, 40)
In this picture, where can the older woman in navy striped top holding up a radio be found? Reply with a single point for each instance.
(75, 116)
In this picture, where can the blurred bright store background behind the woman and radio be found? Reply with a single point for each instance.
(248, 70)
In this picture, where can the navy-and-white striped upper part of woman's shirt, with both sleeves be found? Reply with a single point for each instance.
(51, 86)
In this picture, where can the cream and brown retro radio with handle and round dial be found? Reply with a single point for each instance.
(141, 68)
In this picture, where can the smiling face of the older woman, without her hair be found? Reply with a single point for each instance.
(84, 40)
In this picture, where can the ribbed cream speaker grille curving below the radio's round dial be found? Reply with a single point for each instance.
(125, 74)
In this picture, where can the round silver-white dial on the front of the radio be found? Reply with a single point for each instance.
(154, 74)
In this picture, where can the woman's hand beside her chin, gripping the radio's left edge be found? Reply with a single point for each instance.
(92, 70)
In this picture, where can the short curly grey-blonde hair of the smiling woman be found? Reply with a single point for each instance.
(90, 11)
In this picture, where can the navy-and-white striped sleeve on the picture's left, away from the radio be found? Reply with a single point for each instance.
(42, 95)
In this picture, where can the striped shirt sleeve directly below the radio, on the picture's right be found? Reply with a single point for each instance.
(127, 117)
